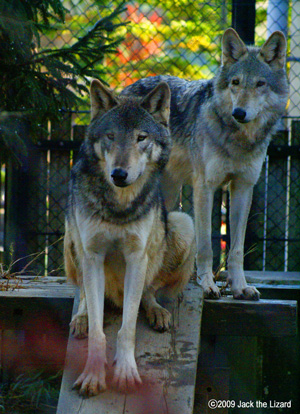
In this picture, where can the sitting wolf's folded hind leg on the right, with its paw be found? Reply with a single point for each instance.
(178, 267)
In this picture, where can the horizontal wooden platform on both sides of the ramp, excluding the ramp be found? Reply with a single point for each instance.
(223, 317)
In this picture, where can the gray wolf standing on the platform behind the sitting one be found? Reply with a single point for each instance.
(221, 129)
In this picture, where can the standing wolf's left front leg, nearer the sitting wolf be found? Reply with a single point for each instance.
(203, 204)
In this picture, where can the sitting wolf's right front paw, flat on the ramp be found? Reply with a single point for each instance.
(126, 376)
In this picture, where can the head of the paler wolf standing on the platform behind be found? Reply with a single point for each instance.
(252, 81)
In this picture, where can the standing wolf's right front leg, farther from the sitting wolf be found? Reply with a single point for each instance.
(240, 203)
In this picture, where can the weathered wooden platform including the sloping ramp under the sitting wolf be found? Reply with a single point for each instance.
(167, 362)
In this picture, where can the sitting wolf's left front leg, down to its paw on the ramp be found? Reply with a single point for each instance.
(92, 380)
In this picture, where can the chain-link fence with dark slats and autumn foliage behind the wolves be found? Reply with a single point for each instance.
(181, 38)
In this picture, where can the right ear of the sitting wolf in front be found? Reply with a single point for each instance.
(157, 103)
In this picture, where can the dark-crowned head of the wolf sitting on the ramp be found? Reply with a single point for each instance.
(129, 135)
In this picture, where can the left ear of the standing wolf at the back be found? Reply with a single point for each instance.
(233, 48)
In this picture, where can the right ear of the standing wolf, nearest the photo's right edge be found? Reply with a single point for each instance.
(273, 51)
